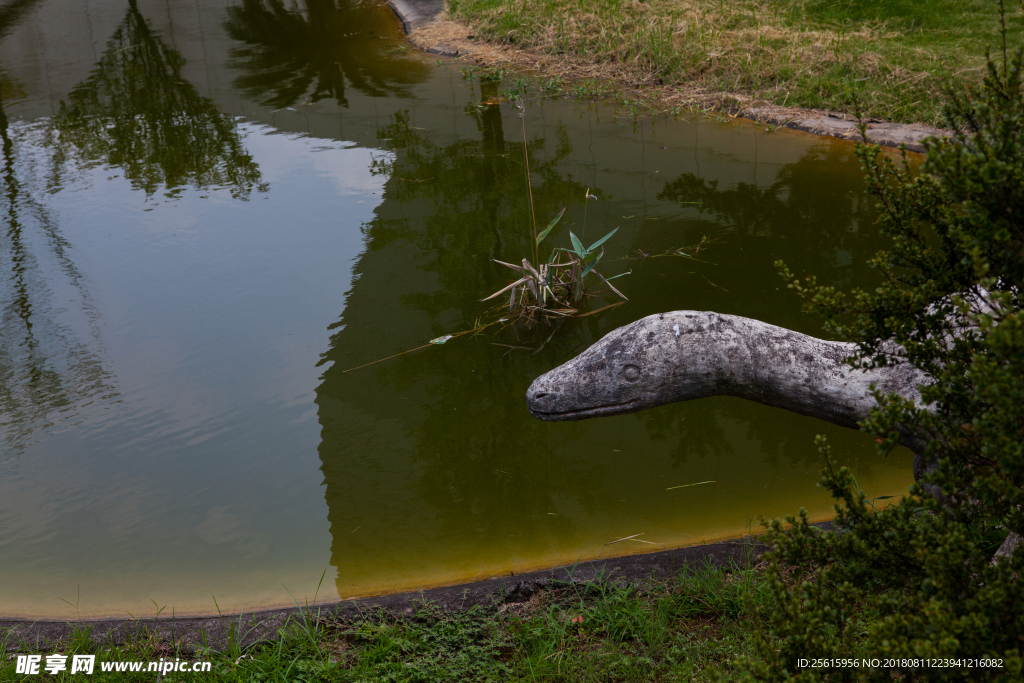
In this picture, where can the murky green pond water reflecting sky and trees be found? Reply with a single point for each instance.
(214, 209)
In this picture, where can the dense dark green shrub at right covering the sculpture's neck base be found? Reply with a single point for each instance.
(916, 580)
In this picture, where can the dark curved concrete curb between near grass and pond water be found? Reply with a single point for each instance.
(249, 628)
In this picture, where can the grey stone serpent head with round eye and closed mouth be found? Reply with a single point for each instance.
(630, 369)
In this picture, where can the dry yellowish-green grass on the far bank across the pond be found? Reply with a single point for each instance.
(894, 57)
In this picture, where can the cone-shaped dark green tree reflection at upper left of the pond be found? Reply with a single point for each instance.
(136, 111)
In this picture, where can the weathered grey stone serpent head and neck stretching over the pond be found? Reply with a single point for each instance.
(688, 355)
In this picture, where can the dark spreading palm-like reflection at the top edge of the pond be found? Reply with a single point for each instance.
(290, 54)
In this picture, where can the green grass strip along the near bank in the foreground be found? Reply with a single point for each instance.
(679, 630)
